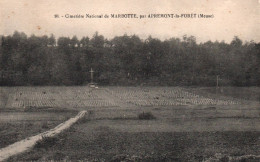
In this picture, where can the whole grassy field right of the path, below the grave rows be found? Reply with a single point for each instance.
(116, 135)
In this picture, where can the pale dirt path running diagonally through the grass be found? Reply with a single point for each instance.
(28, 143)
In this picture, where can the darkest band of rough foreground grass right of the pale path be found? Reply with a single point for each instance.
(104, 143)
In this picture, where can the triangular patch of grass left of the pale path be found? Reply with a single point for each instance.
(15, 126)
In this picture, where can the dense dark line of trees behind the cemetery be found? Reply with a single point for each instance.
(127, 60)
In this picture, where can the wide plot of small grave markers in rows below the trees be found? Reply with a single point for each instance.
(87, 97)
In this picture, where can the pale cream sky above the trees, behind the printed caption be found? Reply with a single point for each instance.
(231, 18)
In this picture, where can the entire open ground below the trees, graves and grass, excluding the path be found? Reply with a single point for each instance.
(186, 124)
